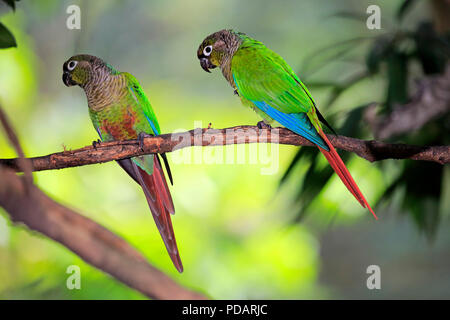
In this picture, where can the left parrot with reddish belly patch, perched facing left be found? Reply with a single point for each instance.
(119, 110)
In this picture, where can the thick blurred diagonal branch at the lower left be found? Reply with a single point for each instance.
(89, 240)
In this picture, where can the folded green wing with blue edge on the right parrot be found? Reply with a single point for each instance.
(266, 81)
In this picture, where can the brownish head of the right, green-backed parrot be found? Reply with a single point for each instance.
(216, 48)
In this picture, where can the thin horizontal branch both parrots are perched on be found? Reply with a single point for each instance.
(370, 150)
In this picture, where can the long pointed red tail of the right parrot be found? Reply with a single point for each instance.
(339, 167)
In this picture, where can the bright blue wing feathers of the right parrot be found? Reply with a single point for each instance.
(297, 122)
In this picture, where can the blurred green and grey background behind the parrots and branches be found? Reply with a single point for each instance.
(237, 229)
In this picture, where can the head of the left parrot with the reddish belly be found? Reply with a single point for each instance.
(81, 69)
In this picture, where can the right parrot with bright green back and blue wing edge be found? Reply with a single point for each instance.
(269, 86)
